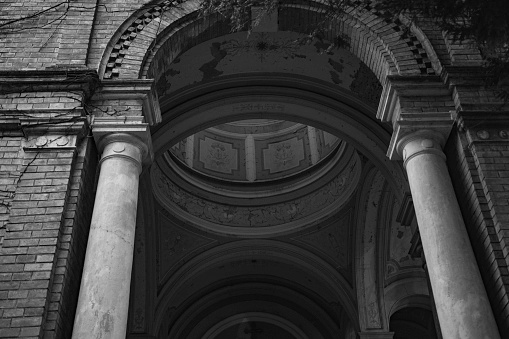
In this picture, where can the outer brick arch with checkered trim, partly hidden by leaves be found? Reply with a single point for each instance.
(383, 44)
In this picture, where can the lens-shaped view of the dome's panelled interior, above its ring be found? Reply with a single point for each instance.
(255, 151)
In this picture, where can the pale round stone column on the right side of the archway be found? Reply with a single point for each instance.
(462, 304)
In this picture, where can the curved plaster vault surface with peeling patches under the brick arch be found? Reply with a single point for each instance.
(277, 52)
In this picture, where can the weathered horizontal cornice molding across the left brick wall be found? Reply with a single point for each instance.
(60, 125)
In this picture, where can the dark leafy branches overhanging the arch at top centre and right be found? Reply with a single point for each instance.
(484, 22)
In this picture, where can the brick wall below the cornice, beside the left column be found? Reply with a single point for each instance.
(46, 218)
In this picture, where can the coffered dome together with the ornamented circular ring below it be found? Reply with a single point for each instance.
(256, 177)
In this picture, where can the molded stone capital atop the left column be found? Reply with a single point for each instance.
(130, 131)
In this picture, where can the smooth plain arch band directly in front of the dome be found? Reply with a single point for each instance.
(307, 101)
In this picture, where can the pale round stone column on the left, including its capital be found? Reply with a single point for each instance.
(104, 293)
